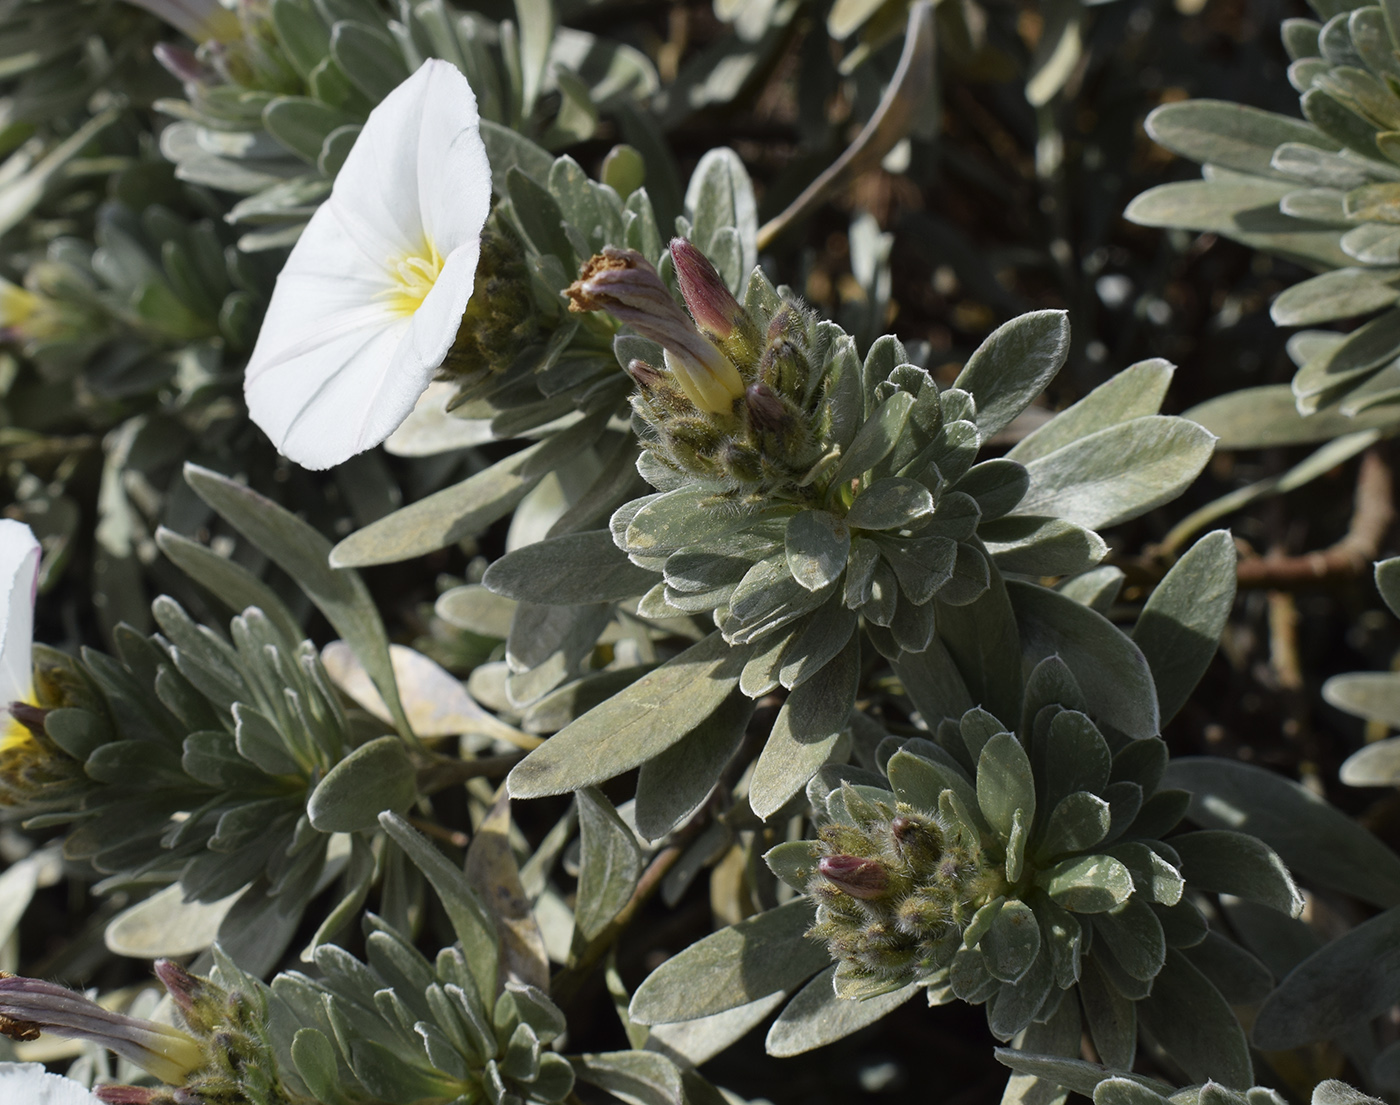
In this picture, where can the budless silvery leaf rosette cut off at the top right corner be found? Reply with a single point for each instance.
(1324, 191)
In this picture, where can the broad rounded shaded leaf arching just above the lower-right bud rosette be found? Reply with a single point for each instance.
(1109, 669)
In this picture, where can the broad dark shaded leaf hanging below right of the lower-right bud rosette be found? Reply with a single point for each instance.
(1188, 1016)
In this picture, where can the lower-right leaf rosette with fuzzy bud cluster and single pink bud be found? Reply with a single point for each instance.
(1010, 868)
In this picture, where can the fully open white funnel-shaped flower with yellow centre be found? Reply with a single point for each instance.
(373, 295)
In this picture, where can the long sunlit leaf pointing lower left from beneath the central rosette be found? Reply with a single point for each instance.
(636, 725)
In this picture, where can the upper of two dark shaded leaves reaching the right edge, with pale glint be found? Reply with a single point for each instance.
(1312, 838)
